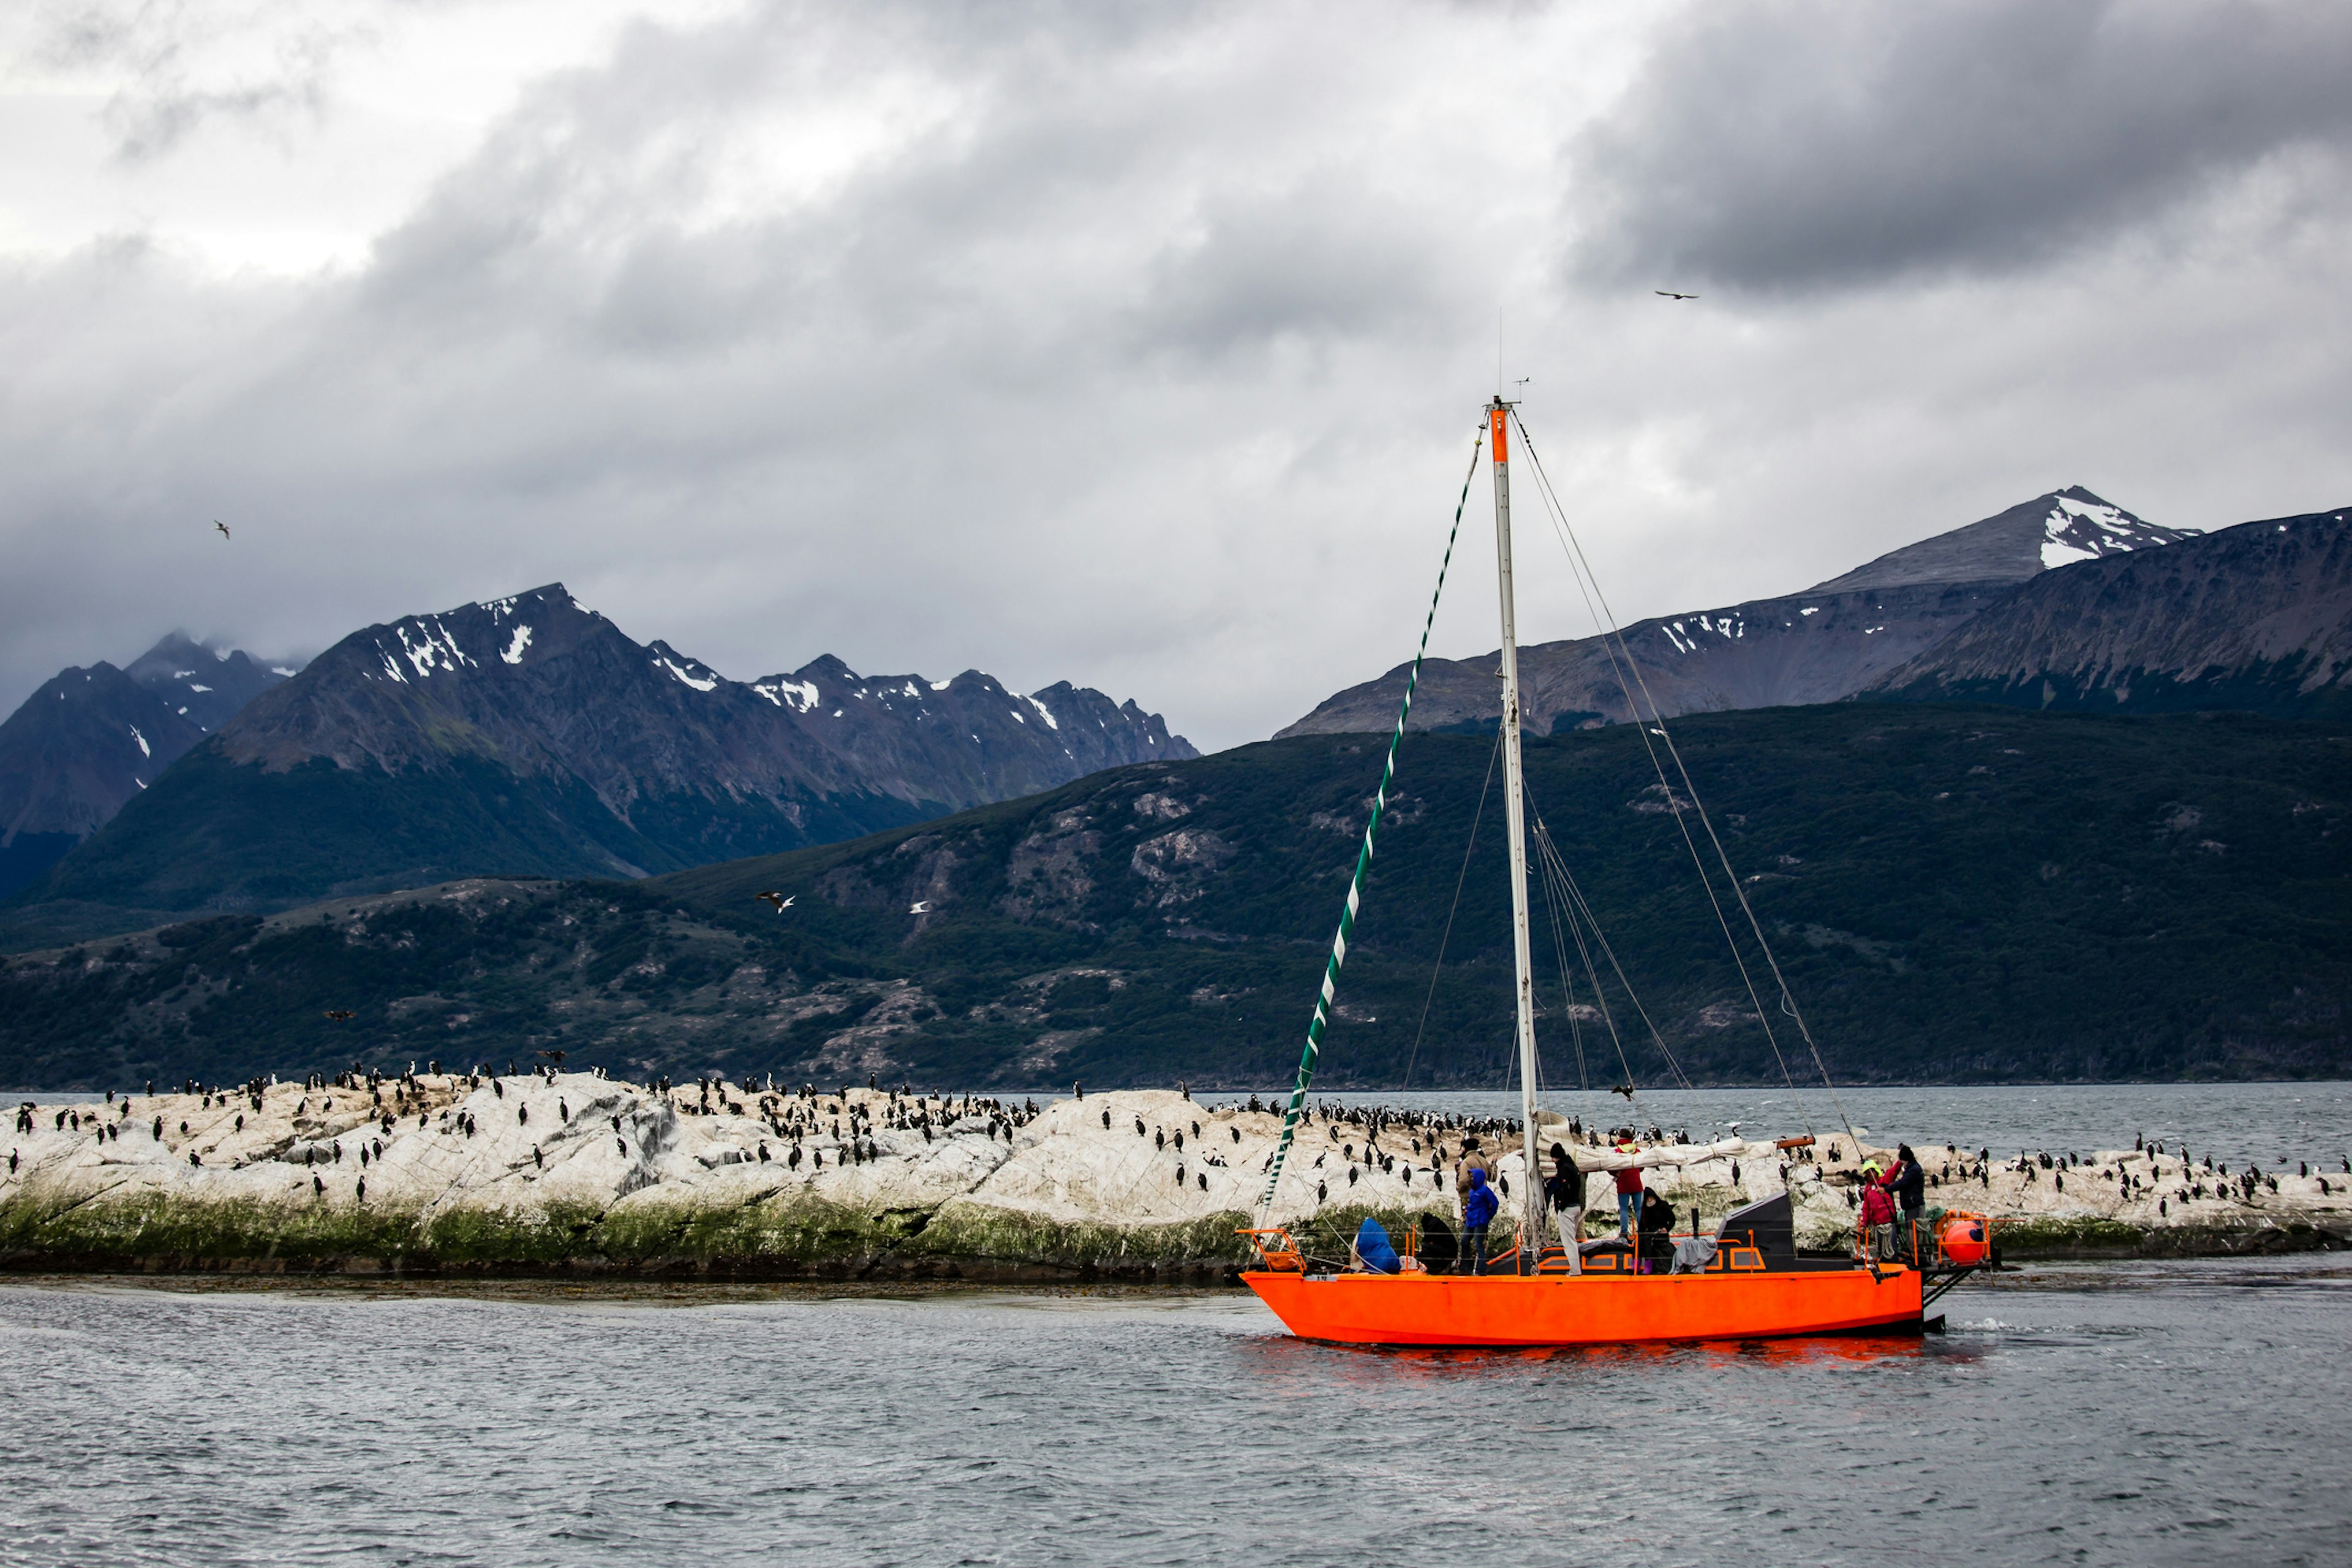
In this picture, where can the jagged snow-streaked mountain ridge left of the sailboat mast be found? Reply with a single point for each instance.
(530, 735)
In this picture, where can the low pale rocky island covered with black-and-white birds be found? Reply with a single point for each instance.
(587, 1174)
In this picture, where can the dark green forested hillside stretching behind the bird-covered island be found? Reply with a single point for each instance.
(1956, 892)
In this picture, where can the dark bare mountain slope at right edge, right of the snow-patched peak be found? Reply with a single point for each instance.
(2257, 617)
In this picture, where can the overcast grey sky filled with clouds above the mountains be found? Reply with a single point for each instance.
(1125, 344)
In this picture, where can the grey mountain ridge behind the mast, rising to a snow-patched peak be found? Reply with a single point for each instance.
(1812, 648)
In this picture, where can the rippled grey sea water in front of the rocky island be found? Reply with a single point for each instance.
(2149, 1414)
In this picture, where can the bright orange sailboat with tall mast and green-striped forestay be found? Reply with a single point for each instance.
(1742, 1282)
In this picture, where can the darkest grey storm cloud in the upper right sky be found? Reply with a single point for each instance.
(1789, 147)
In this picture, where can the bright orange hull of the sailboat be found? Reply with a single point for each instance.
(1586, 1311)
